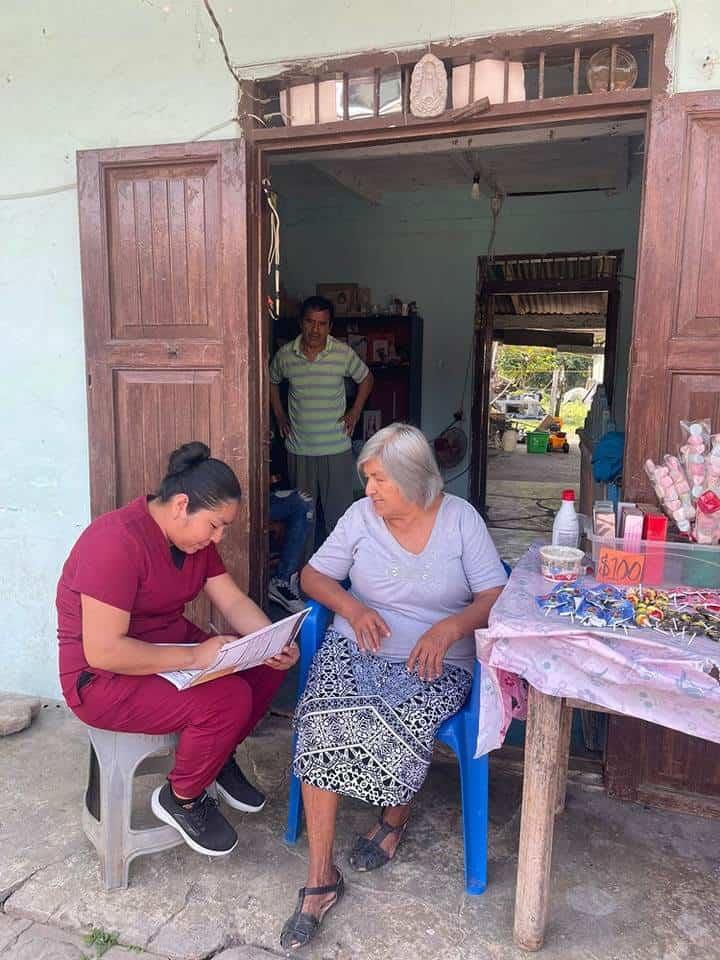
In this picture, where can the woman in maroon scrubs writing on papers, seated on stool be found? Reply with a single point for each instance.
(120, 605)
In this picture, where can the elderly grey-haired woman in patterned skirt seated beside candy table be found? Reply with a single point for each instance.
(397, 660)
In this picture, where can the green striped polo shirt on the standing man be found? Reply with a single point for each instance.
(316, 399)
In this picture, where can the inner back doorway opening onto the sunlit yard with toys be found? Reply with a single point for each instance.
(545, 386)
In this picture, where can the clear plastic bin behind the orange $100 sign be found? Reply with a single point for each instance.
(668, 564)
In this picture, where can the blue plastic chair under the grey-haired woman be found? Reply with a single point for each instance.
(459, 733)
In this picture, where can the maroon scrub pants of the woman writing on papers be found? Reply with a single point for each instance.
(211, 719)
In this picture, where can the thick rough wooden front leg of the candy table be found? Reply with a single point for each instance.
(540, 784)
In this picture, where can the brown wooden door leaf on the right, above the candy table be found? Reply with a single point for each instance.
(675, 357)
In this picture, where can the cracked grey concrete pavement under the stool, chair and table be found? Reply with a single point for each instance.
(627, 883)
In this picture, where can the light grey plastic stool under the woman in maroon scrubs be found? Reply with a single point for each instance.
(114, 759)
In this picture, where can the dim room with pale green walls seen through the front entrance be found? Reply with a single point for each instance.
(393, 234)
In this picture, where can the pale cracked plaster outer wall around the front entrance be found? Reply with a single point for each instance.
(81, 74)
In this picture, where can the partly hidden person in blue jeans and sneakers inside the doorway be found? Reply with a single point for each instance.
(295, 509)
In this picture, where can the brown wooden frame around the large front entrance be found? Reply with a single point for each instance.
(266, 143)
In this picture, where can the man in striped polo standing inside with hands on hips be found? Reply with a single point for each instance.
(317, 427)
